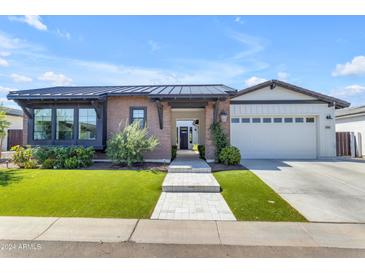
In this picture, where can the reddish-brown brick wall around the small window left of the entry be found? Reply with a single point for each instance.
(118, 110)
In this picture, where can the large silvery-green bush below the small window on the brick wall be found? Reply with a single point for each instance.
(128, 146)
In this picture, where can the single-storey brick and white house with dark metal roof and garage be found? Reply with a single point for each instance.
(270, 120)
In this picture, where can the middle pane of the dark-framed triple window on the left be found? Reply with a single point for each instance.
(64, 124)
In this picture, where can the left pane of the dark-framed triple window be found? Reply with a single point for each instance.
(42, 124)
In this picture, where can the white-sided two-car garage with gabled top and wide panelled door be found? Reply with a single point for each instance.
(276, 120)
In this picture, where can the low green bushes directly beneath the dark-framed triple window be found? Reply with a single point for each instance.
(64, 157)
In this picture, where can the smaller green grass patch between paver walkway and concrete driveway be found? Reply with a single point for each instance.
(250, 199)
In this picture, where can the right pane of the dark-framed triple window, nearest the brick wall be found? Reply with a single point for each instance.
(87, 124)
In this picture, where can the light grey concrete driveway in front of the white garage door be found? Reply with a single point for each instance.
(322, 190)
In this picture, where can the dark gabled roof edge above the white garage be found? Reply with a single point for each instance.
(325, 98)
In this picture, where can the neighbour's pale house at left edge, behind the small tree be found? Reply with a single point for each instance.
(15, 117)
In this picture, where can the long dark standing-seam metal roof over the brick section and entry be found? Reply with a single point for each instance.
(155, 91)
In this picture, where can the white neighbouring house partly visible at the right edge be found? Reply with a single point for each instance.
(353, 120)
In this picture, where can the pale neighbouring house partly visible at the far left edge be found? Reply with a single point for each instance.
(14, 132)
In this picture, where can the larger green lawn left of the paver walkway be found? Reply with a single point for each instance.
(79, 193)
